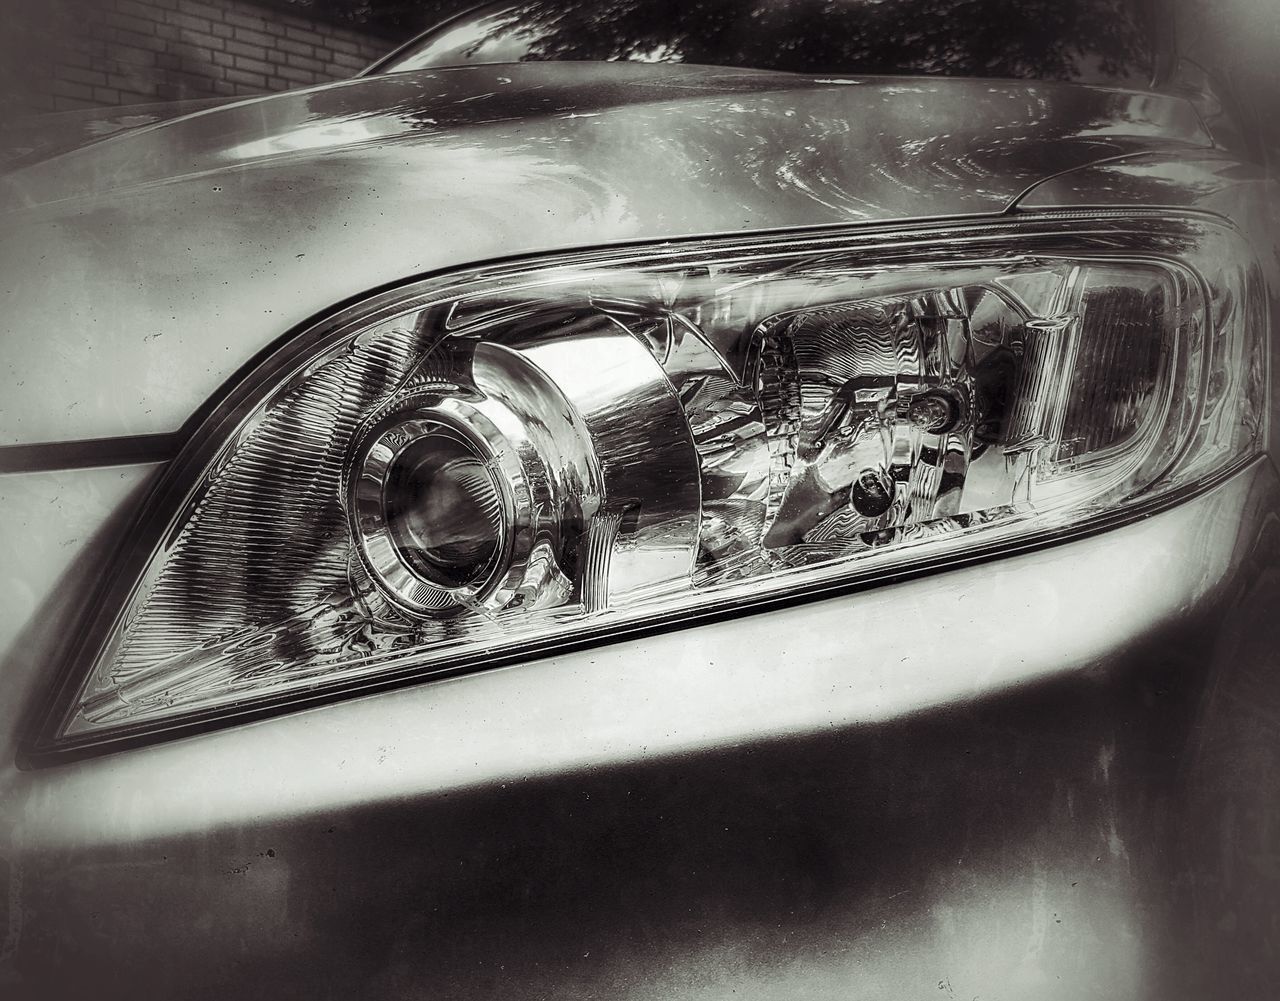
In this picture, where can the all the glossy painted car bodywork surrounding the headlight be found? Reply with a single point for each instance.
(1046, 776)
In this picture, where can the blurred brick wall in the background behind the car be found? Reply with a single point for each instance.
(93, 53)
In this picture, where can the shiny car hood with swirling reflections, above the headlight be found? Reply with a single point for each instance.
(139, 273)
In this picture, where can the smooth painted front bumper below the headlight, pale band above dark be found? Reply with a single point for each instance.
(1053, 775)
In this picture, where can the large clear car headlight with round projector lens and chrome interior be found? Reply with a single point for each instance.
(481, 467)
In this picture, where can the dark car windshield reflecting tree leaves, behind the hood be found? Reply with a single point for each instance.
(1086, 40)
